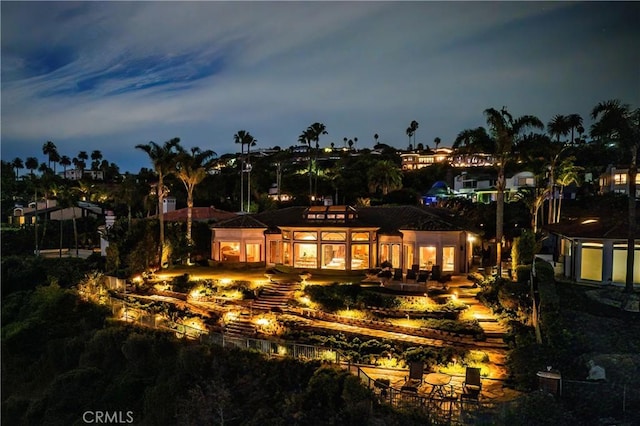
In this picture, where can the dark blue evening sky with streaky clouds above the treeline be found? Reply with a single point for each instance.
(111, 75)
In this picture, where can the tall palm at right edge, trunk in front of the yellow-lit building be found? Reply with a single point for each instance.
(620, 124)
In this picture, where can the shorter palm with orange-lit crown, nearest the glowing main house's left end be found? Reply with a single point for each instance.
(191, 169)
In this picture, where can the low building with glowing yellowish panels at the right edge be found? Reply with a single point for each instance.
(593, 250)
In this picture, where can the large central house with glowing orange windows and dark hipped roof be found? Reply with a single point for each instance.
(344, 238)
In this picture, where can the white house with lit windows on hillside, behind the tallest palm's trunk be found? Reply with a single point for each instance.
(481, 187)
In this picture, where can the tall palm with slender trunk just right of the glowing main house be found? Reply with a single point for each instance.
(505, 134)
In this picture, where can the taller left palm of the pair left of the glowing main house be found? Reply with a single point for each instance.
(163, 160)
